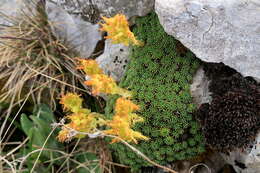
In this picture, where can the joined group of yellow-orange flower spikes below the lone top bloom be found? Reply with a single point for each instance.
(83, 120)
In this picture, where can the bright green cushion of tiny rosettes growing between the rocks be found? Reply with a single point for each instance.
(160, 79)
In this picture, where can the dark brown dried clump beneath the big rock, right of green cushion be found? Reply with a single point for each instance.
(233, 118)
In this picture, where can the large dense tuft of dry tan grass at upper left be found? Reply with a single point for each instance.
(33, 60)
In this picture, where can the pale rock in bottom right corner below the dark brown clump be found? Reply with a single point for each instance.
(247, 161)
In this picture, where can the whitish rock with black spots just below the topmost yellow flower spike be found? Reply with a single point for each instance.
(114, 60)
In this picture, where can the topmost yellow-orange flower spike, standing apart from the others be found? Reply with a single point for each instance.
(118, 31)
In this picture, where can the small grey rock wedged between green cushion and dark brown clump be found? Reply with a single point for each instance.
(200, 88)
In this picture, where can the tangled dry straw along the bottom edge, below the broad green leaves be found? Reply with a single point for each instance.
(12, 162)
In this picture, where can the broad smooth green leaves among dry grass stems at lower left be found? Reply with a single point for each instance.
(38, 128)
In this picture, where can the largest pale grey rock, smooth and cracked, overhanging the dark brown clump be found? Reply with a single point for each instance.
(216, 31)
